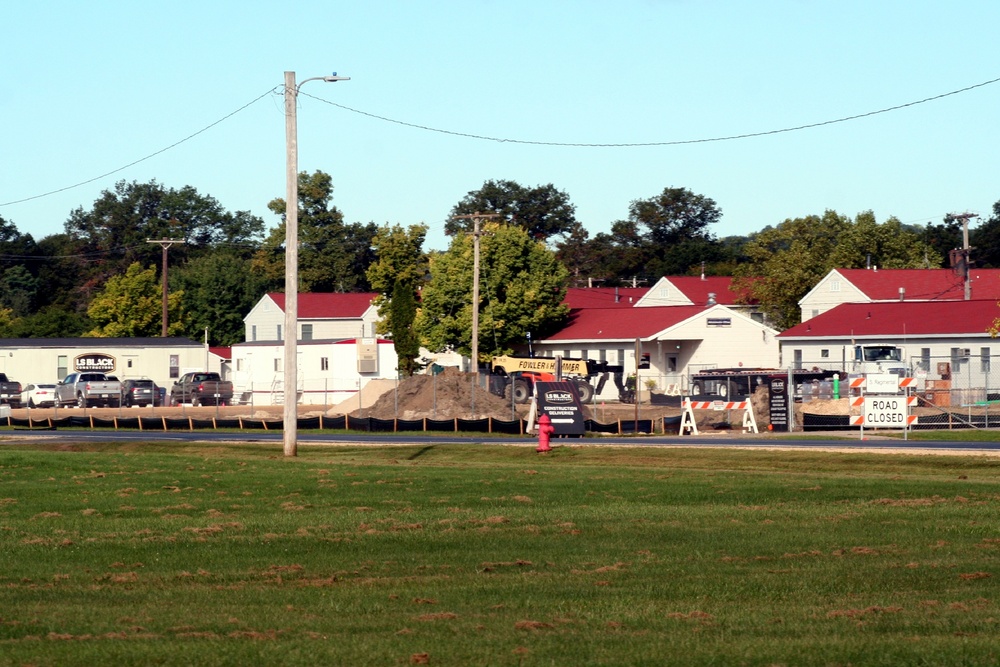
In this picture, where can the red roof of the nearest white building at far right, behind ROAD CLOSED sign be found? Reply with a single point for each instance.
(899, 319)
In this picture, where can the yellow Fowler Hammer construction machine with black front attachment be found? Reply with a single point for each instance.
(514, 377)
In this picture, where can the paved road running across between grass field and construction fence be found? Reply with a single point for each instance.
(308, 439)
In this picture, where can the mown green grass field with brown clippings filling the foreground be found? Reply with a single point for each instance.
(491, 555)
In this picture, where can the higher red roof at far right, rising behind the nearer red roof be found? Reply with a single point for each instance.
(922, 284)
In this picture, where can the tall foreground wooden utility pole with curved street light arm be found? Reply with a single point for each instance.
(291, 332)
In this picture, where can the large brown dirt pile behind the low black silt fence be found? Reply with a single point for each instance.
(446, 395)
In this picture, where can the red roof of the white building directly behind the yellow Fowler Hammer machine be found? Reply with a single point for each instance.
(622, 323)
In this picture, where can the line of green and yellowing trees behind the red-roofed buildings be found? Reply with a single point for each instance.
(101, 275)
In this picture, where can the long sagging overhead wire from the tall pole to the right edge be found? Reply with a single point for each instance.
(679, 142)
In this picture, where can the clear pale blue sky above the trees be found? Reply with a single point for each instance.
(93, 87)
